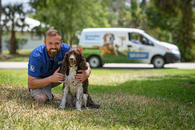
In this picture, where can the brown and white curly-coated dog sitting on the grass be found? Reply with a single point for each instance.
(74, 92)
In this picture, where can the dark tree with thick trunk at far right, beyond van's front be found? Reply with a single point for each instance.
(183, 31)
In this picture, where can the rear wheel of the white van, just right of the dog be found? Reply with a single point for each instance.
(94, 61)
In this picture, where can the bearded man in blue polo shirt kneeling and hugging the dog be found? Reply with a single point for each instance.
(44, 64)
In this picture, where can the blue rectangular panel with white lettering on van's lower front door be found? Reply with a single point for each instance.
(138, 55)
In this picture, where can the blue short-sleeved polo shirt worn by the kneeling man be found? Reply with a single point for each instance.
(39, 61)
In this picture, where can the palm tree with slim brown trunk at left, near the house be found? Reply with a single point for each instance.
(14, 20)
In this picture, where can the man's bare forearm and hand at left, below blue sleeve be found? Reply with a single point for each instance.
(34, 82)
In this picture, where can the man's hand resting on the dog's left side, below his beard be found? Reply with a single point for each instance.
(57, 77)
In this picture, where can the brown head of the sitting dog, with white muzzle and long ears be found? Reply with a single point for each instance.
(73, 58)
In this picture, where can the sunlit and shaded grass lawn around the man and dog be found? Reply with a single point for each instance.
(141, 99)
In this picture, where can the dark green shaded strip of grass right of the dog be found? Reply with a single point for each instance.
(177, 88)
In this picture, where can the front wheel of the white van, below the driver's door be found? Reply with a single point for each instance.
(158, 62)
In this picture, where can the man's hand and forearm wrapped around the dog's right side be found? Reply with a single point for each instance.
(84, 74)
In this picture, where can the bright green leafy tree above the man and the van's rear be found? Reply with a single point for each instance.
(70, 16)
